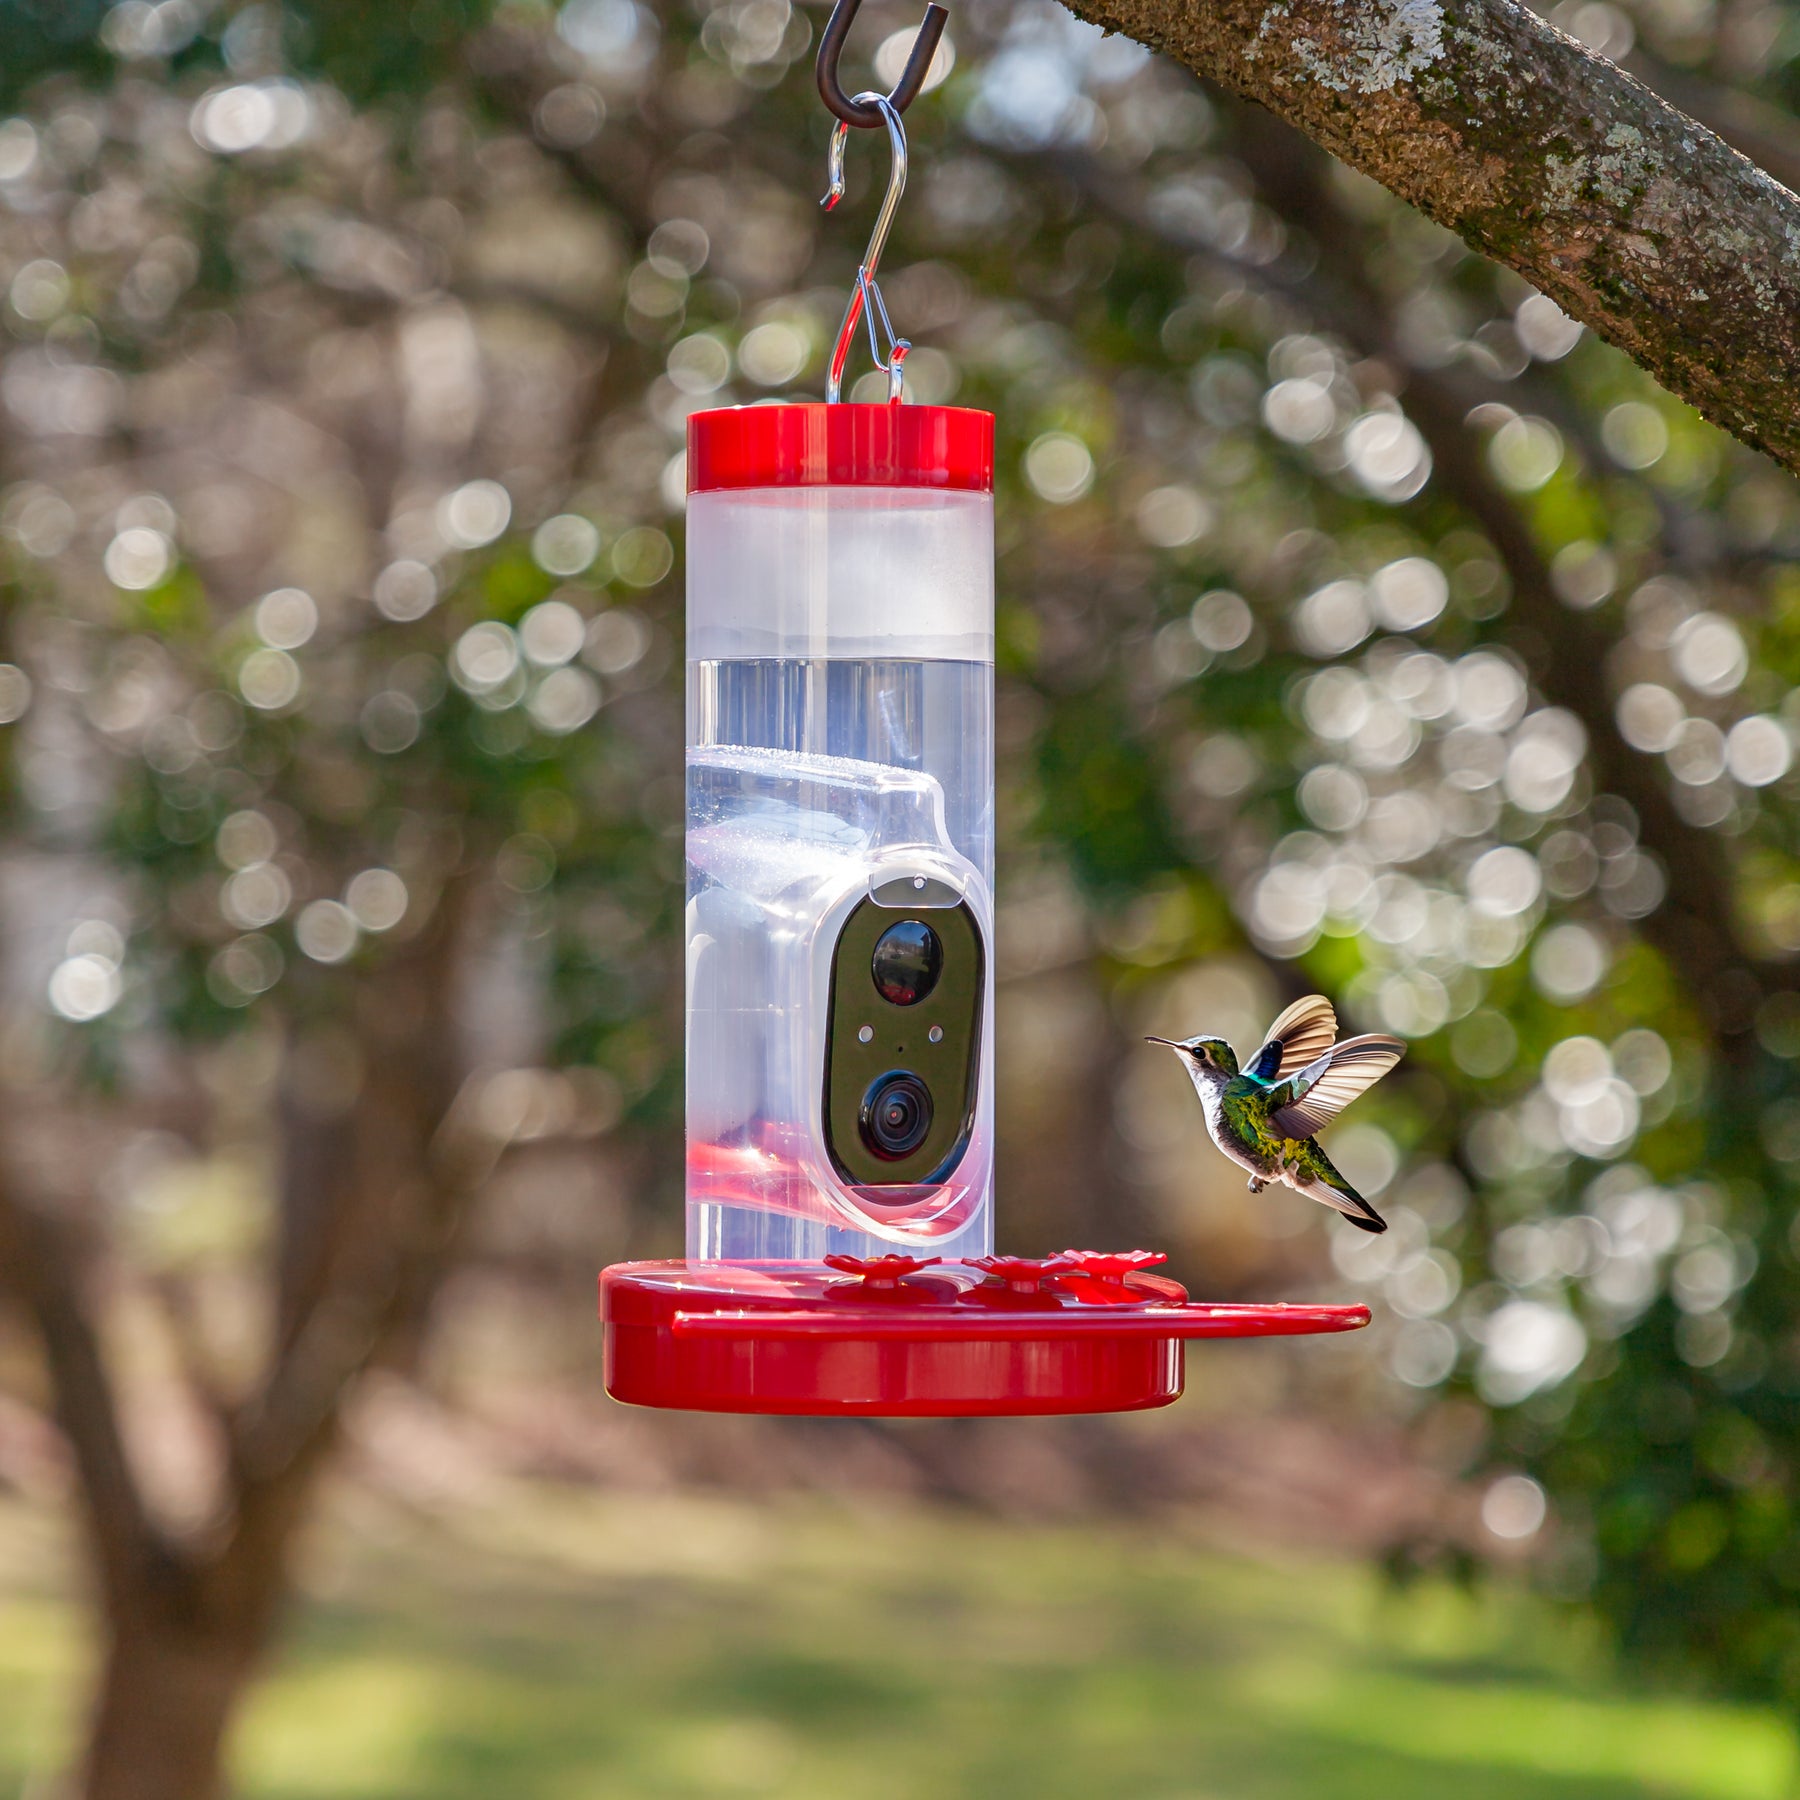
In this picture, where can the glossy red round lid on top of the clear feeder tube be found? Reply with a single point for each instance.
(841, 447)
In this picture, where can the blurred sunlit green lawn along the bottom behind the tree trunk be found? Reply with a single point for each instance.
(577, 1648)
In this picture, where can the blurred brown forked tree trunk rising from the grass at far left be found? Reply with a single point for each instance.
(372, 1209)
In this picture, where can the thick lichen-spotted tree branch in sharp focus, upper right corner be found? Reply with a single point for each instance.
(1633, 217)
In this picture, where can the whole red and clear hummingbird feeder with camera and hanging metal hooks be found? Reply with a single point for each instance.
(840, 933)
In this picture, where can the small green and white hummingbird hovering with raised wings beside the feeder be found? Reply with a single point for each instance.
(1266, 1115)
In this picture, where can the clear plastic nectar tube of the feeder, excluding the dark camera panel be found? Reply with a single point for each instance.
(840, 728)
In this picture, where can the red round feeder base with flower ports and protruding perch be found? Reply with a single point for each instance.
(903, 1336)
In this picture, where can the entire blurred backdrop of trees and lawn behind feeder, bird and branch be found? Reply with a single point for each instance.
(1365, 625)
